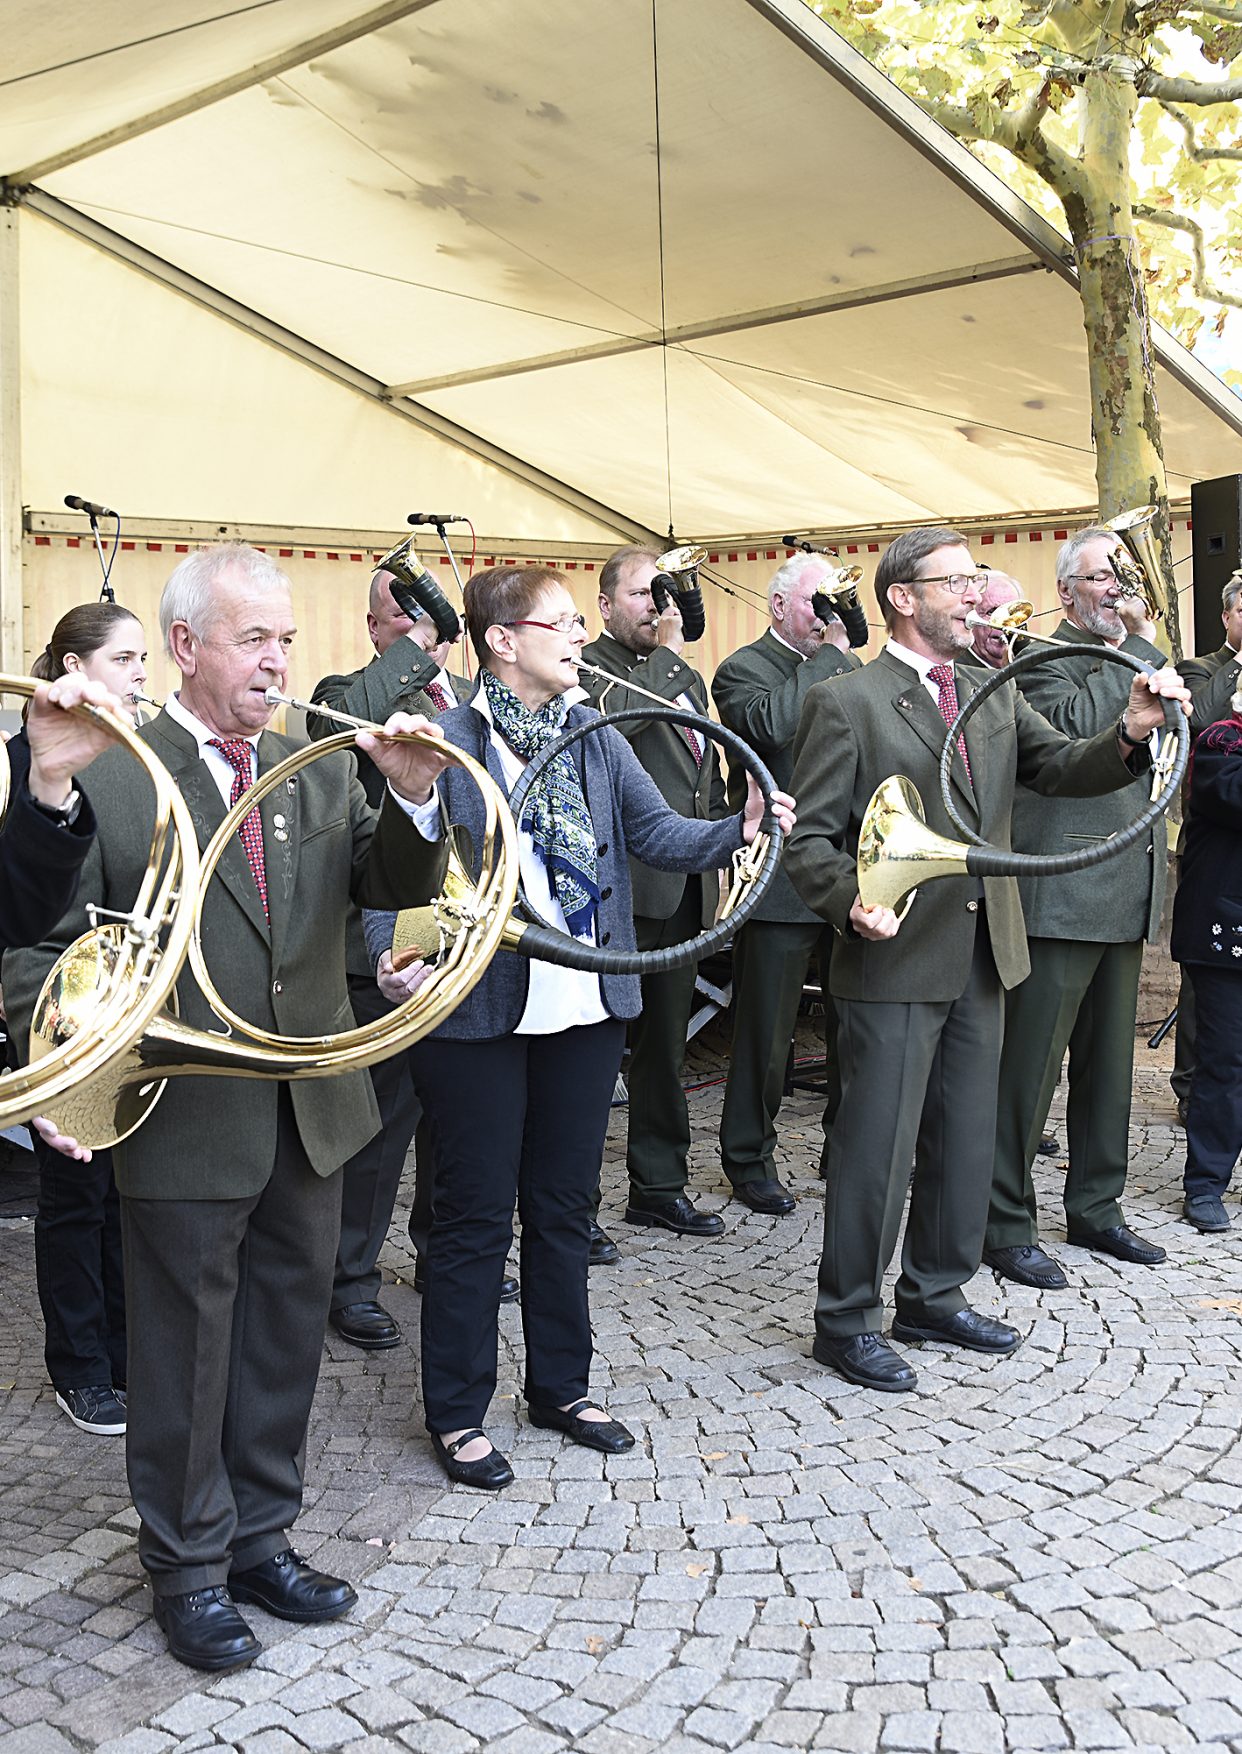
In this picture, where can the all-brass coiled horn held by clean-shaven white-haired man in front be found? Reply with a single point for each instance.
(148, 1050)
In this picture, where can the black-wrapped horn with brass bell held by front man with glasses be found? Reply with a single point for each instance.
(897, 852)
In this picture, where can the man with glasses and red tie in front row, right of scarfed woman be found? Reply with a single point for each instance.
(922, 1008)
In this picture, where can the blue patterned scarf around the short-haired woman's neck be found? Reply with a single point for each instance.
(559, 820)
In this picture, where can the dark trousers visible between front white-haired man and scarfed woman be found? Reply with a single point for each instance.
(373, 1176)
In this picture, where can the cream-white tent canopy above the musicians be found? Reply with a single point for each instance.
(585, 271)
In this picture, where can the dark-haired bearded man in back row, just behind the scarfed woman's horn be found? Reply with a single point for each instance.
(648, 646)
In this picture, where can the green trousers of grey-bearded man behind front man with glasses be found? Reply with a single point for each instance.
(1083, 997)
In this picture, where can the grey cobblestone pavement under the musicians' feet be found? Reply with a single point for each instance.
(1034, 1553)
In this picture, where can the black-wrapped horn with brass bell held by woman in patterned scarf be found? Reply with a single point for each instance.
(753, 871)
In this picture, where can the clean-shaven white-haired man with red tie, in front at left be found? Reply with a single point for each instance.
(231, 1199)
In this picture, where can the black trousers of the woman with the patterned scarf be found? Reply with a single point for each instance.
(518, 1120)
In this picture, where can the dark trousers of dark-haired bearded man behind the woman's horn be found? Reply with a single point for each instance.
(659, 1141)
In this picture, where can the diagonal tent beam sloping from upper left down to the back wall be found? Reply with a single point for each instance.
(350, 376)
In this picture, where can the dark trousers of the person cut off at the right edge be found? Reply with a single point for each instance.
(1215, 1111)
